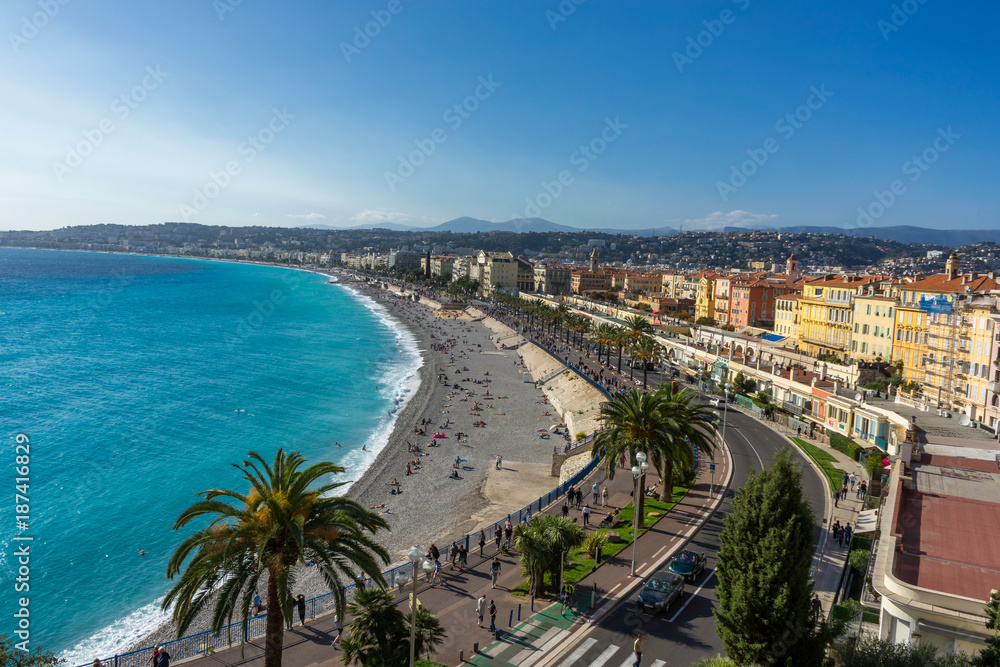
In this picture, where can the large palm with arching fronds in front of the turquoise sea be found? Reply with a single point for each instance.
(279, 522)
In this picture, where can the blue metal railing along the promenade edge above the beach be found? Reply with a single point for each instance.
(207, 642)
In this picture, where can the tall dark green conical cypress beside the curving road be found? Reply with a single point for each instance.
(765, 593)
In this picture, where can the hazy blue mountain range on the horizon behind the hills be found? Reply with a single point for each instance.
(902, 234)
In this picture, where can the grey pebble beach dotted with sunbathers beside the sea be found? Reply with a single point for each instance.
(432, 506)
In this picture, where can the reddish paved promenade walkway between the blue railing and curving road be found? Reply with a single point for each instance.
(453, 600)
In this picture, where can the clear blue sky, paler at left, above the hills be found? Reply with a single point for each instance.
(597, 114)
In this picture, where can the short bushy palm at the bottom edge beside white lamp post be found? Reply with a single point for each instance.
(379, 633)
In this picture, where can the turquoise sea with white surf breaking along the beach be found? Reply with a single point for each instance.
(139, 381)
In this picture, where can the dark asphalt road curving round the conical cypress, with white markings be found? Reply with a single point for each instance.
(686, 632)
